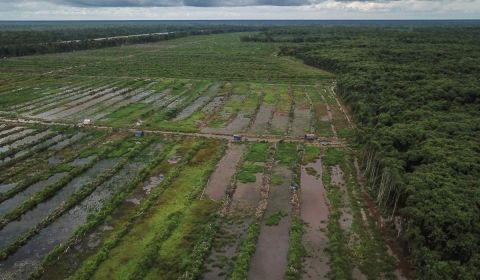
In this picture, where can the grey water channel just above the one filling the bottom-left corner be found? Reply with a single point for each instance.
(15, 228)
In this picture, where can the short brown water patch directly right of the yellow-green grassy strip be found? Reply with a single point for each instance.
(226, 167)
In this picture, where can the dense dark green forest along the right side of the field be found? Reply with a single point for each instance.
(415, 94)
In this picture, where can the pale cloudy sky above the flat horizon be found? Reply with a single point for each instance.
(237, 9)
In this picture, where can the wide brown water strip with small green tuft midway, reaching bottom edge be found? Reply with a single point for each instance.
(270, 258)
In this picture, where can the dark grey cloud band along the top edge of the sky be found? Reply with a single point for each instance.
(195, 3)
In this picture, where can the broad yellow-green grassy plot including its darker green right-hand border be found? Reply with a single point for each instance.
(165, 221)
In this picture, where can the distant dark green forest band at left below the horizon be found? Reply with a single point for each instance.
(65, 38)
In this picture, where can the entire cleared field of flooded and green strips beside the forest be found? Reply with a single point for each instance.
(150, 187)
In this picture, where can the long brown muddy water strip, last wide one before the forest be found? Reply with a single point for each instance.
(314, 211)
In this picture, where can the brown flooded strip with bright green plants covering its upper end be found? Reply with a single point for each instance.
(244, 196)
